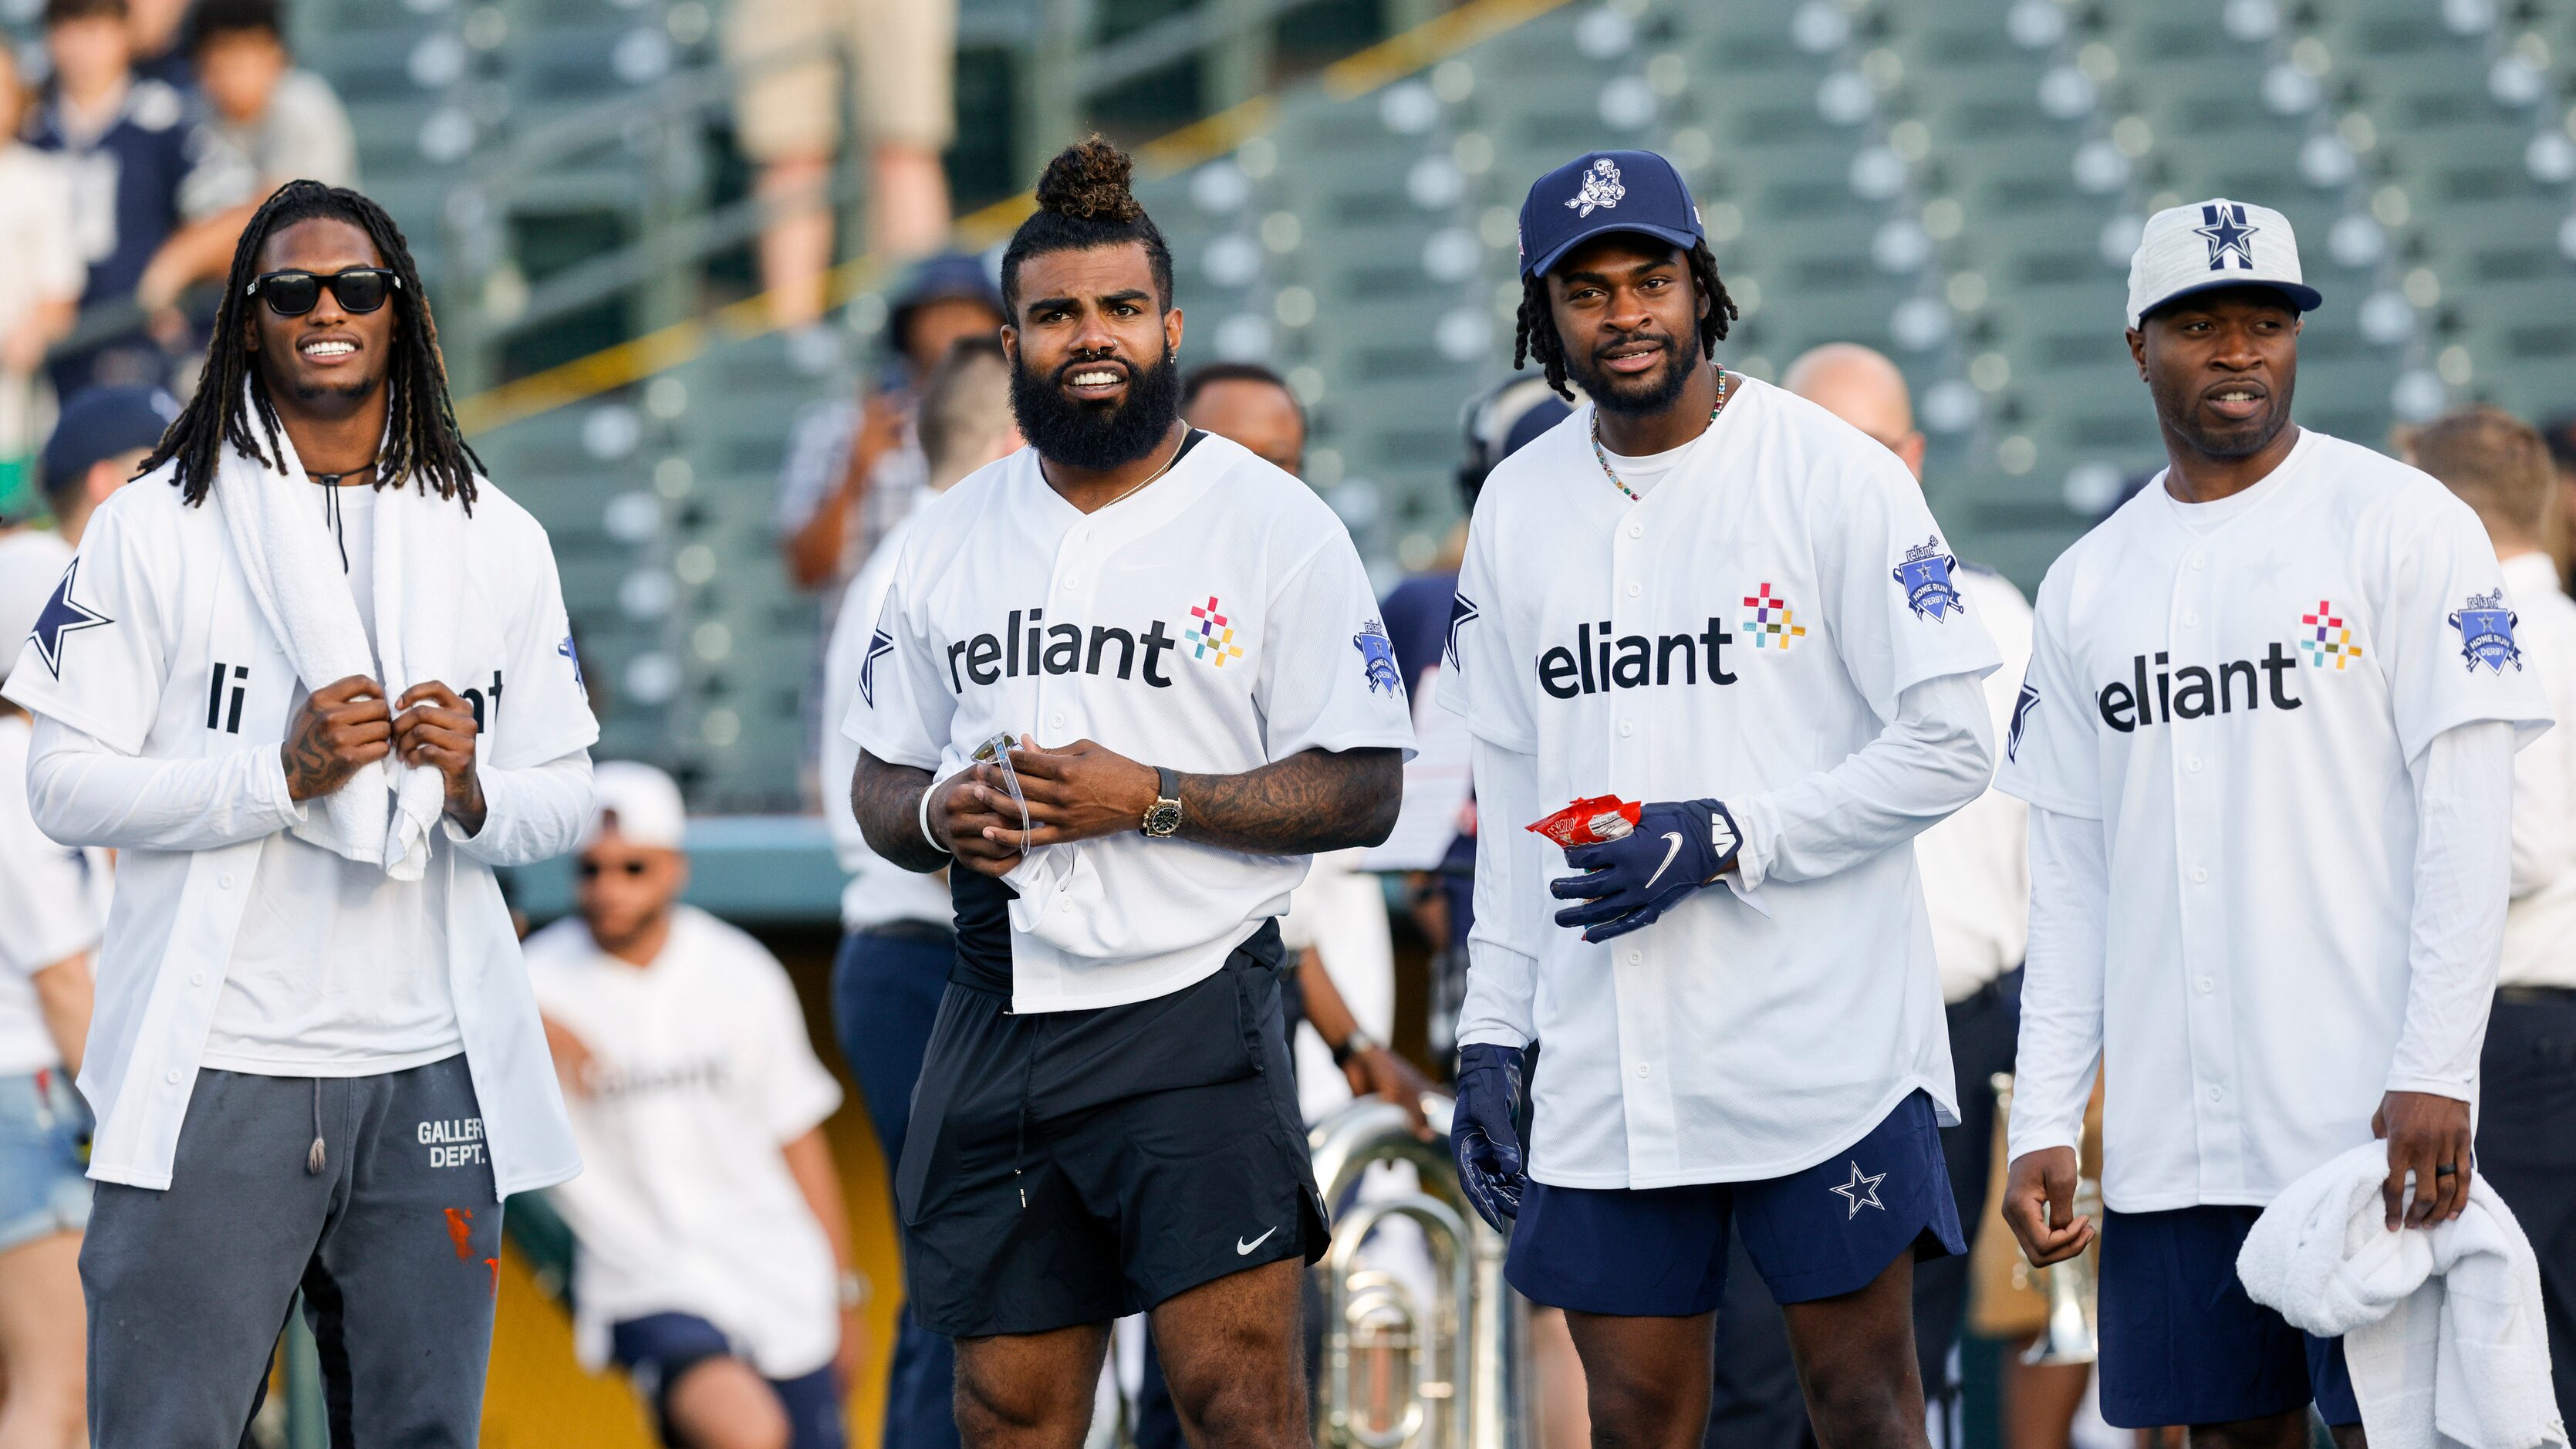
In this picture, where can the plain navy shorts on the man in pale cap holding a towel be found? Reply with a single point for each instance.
(2186, 1345)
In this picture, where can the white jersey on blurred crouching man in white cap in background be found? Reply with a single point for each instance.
(702, 1071)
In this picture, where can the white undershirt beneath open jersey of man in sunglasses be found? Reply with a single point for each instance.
(339, 968)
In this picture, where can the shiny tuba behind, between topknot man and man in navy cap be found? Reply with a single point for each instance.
(1400, 1373)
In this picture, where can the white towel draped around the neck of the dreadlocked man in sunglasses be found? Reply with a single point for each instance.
(388, 811)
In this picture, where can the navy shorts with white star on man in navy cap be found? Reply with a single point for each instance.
(1815, 1234)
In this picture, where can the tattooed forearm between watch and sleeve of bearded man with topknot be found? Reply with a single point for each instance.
(1307, 803)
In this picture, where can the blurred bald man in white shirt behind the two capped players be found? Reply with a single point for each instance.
(1975, 868)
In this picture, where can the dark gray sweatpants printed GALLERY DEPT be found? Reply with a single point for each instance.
(395, 1247)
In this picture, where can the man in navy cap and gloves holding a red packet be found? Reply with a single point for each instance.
(1727, 612)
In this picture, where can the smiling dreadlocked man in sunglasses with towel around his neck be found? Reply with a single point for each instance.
(310, 677)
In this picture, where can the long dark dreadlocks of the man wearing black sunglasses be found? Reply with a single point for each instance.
(421, 440)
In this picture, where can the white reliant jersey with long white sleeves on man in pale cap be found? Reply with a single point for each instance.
(2248, 697)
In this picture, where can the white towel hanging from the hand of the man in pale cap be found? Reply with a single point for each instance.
(2441, 1327)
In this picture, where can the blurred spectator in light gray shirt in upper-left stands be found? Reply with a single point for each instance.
(267, 125)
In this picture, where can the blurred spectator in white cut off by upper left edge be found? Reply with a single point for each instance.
(40, 282)
